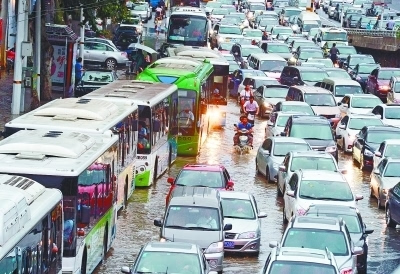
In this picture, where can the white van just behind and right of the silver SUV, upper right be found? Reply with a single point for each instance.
(340, 87)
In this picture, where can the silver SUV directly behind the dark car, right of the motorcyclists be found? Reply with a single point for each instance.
(320, 99)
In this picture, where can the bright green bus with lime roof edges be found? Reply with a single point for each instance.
(195, 81)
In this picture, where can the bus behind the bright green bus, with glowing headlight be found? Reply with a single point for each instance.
(217, 103)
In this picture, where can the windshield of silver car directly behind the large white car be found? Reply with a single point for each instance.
(316, 163)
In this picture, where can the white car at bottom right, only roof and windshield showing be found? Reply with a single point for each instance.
(300, 260)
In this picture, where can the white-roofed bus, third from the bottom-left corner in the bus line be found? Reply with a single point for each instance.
(90, 116)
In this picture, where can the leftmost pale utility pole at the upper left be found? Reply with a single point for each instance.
(17, 85)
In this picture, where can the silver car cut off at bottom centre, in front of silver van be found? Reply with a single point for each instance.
(174, 256)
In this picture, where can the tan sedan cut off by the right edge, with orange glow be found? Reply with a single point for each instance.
(383, 178)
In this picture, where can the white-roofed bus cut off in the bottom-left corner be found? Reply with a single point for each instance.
(32, 227)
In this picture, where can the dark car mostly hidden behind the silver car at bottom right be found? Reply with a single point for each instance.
(355, 224)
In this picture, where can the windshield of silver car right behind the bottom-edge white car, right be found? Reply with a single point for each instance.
(321, 239)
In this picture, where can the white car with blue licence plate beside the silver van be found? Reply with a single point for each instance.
(240, 210)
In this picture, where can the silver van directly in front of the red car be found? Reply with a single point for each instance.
(194, 215)
